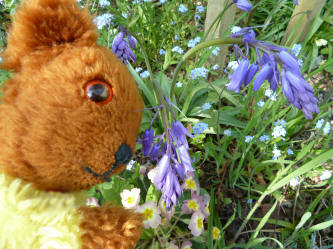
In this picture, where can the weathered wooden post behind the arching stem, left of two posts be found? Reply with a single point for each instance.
(214, 8)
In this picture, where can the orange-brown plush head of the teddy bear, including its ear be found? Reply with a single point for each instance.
(71, 111)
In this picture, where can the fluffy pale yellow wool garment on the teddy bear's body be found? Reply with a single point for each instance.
(35, 219)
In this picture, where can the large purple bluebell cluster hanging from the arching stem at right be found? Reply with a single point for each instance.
(294, 86)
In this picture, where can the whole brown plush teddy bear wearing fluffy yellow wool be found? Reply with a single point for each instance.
(69, 119)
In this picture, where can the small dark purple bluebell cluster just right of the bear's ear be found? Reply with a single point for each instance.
(122, 48)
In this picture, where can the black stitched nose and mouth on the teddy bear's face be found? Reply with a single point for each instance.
(122, 156)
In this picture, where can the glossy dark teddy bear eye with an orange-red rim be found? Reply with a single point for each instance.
(99, 92)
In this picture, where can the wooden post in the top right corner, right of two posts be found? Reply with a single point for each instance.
(307, 10)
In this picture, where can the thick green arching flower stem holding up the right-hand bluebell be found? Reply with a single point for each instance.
(192, 51)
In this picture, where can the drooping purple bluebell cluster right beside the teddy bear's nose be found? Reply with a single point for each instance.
(172, 156)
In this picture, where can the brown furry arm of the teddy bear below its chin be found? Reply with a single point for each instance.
(110, 227)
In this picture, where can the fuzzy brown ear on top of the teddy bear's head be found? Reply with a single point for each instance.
(45, 24)
